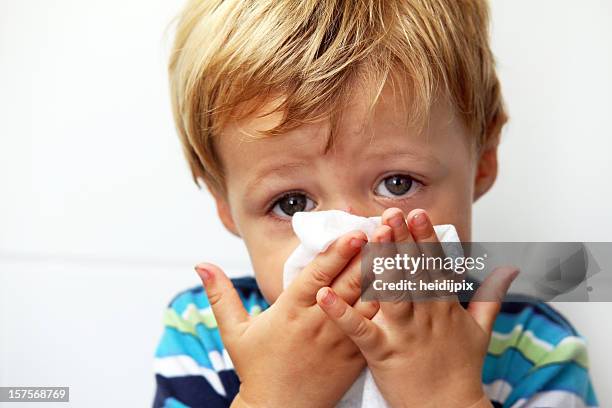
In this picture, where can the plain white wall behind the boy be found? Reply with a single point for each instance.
(100, 224)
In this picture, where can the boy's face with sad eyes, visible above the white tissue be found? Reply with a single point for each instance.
(372, 166)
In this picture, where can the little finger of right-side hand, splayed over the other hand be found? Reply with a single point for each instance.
(362, 331)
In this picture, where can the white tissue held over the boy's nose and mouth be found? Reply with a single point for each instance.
(316, 230)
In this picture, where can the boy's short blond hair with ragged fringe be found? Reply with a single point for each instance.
(230, 52)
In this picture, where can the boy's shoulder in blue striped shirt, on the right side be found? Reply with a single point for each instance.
(536, 356)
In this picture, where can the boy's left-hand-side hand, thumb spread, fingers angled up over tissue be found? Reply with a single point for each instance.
(292, 354)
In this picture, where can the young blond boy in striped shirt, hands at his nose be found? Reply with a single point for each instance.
(373, 107)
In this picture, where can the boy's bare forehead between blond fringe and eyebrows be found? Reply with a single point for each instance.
(390, 124)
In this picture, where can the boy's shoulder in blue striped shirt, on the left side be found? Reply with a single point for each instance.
(190, 359)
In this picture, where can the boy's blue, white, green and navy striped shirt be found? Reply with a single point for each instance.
(535, 357)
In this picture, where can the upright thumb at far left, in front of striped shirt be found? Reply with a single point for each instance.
(224, 300)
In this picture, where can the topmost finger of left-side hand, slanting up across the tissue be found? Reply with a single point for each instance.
(325, 267)
